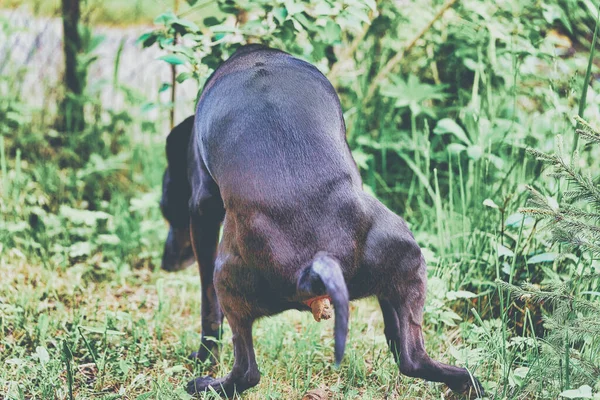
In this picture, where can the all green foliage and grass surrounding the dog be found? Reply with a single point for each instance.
(441, 101)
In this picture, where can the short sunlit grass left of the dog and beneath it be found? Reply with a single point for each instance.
(132, 335)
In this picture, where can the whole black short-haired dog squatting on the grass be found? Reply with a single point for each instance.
(266, 154)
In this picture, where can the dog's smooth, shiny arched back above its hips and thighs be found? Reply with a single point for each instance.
(270, 129)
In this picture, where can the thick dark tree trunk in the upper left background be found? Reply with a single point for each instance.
(71, 116)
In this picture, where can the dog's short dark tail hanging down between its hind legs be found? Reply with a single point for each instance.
(324, 276)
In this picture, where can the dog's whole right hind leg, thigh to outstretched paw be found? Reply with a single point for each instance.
(392, 253)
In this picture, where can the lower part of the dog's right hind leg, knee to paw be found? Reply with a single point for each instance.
(403, 316)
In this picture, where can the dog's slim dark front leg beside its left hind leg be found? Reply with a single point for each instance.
(206, 215)
